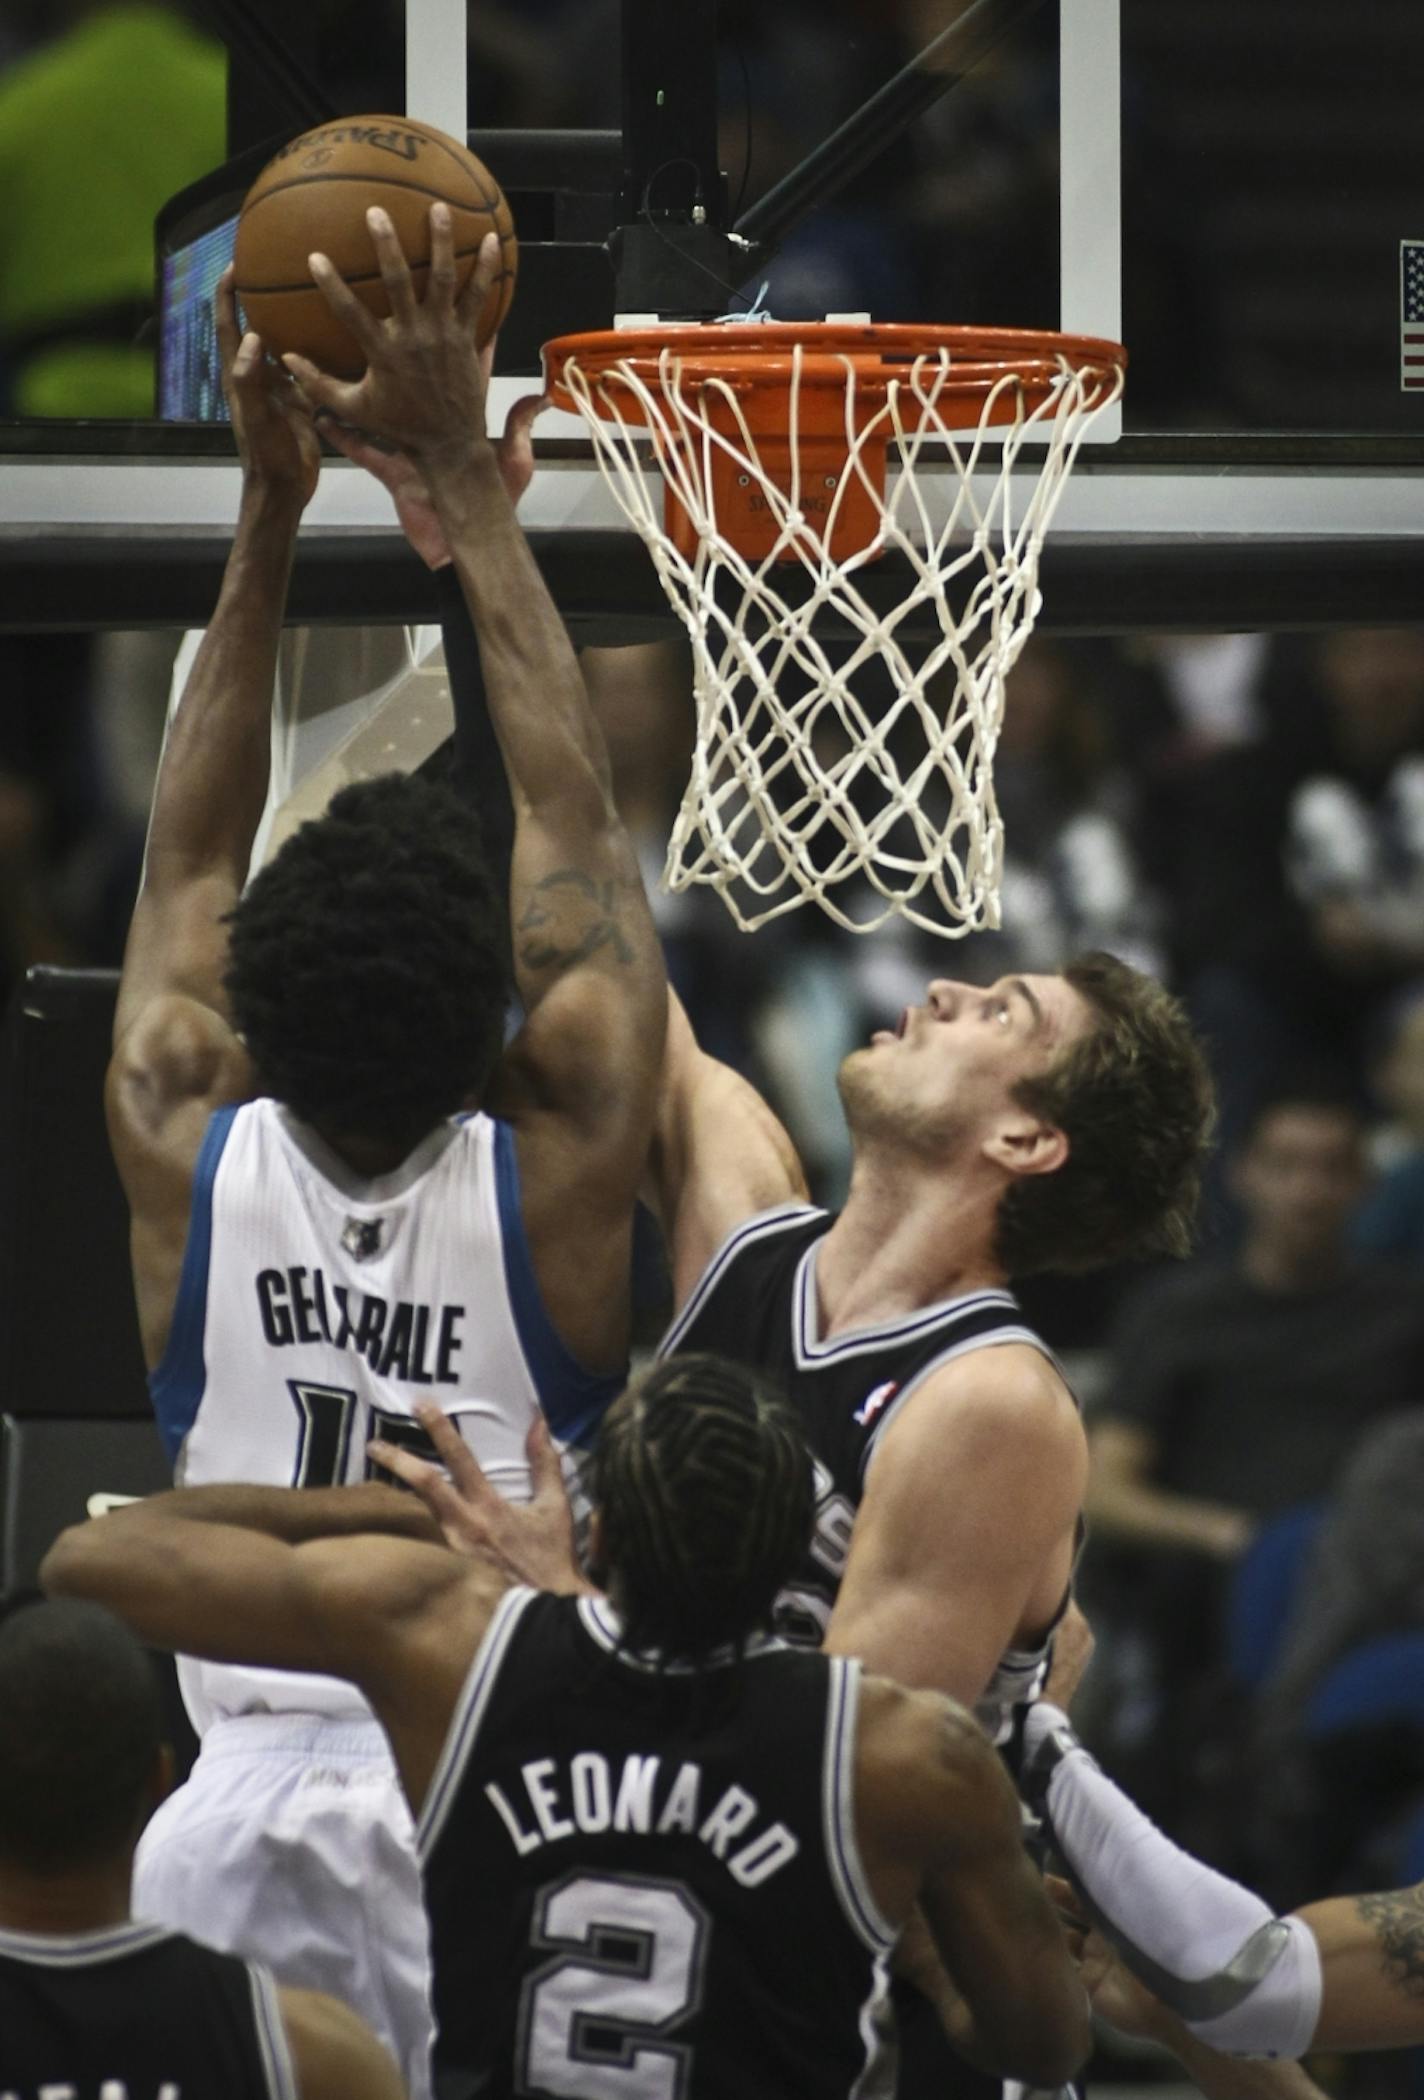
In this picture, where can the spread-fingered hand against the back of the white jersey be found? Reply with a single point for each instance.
(530, 1542)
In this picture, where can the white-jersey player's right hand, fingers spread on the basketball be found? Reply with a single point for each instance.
(425, 381)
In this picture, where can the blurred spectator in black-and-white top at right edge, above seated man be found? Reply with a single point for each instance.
(1295, 866)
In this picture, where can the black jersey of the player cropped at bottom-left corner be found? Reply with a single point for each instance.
(138, 2013)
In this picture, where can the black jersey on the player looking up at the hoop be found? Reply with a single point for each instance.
(757, 1303)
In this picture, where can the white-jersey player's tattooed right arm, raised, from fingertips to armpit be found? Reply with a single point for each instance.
(581, 1080)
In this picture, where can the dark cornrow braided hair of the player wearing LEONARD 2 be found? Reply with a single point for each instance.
(705, 1490)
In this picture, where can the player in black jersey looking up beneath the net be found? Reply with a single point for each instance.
(1049, 1122)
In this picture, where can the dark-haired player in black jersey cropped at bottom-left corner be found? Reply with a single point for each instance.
(93, 2004)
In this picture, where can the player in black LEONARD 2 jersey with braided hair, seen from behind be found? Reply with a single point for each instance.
(663, 1855)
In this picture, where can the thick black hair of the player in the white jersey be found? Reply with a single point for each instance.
(367, 963)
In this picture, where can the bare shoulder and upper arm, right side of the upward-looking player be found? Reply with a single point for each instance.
(963, 1542)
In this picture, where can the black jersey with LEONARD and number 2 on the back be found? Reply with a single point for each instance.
(644, 1885)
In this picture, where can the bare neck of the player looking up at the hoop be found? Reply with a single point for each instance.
(902, 1244)
